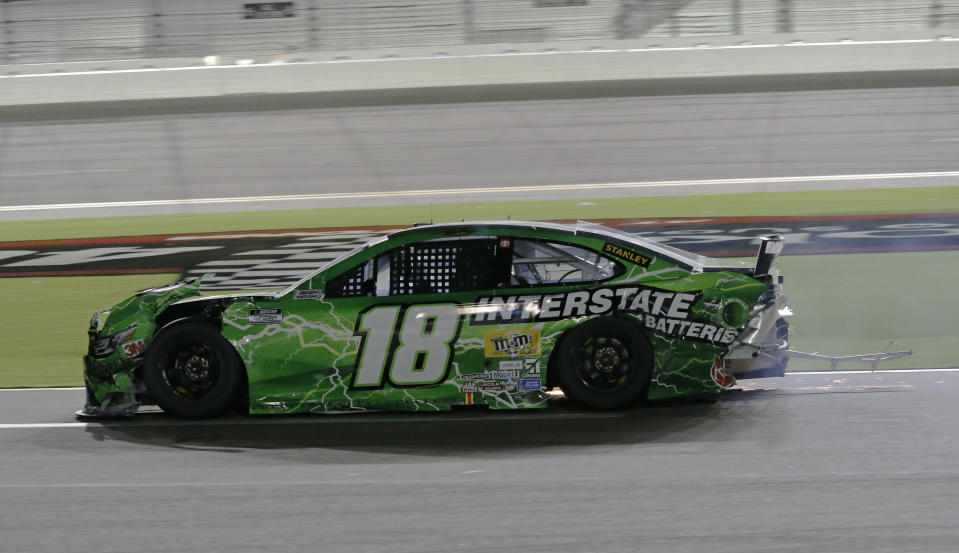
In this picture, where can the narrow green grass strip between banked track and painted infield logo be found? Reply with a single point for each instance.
(818, 202)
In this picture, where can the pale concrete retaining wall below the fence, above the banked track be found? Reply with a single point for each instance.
(664, 67)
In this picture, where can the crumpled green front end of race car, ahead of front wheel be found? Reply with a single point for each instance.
(119, 336)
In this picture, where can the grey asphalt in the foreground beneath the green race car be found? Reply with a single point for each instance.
(838, 462)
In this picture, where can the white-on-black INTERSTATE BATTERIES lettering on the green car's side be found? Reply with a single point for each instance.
(661, 311)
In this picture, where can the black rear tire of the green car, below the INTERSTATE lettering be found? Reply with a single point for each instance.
(605, 363)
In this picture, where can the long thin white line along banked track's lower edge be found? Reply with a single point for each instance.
(483, 190)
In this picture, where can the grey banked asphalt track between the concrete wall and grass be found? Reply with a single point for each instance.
(390, 149)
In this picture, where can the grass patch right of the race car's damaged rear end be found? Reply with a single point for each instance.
(851, 304)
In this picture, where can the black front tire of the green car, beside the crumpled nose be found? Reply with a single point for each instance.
(192, 372)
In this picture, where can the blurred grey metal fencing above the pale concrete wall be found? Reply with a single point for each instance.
(40, 31)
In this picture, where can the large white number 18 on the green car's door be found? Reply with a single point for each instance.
(413, 346)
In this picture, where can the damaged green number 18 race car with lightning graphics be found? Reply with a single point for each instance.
(493, 314)
